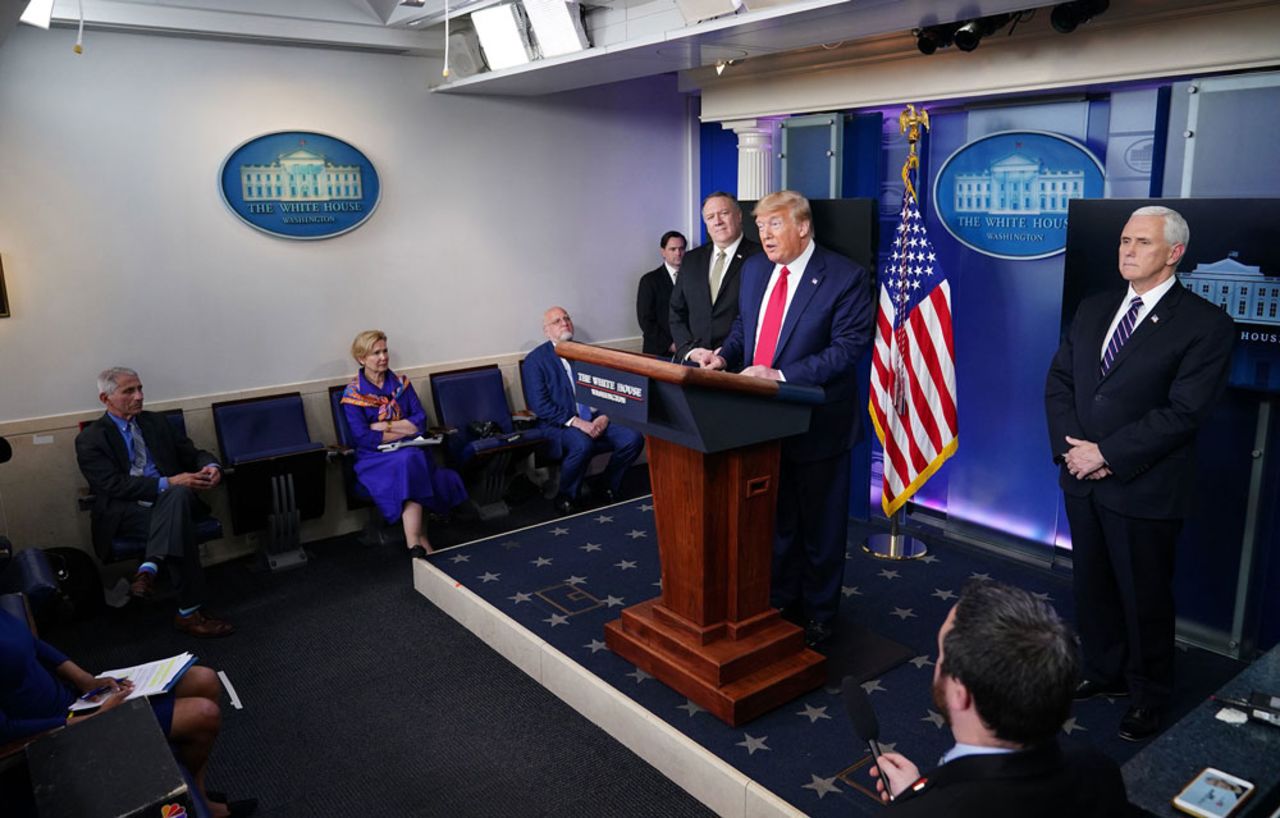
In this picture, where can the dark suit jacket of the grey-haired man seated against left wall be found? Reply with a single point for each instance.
(104, 461)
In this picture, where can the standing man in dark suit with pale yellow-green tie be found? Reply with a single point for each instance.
(705, 301)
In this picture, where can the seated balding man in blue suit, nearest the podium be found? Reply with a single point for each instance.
(574, 429)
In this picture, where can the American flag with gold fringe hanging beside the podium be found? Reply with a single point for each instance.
(913, 395)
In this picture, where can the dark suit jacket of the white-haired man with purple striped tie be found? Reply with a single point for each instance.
(1145, 414)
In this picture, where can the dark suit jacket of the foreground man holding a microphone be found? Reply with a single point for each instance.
(1043, 783)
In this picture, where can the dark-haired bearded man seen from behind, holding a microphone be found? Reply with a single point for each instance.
(1004, 682)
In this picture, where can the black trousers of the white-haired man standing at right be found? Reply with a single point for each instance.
(1123, 583)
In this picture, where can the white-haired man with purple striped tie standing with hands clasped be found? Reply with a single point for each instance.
(1133, 381)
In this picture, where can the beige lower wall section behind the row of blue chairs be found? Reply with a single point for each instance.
(39, 488)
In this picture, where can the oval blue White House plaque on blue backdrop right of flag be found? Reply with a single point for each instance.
(1007, 194)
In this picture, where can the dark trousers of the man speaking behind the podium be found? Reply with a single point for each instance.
(812, 533)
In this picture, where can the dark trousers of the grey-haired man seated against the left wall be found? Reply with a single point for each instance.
(170, 529)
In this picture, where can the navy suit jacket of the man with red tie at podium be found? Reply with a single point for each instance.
(826, 332)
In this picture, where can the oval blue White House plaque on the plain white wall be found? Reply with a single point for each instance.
(300, 185)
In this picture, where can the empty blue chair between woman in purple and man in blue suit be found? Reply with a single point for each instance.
(467, 399)
